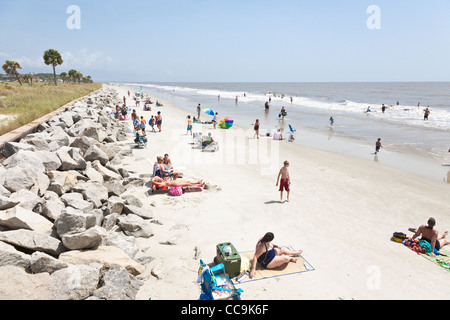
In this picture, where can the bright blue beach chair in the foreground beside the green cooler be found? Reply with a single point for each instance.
(215, 284)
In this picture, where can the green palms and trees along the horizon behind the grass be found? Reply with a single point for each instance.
(53, 58)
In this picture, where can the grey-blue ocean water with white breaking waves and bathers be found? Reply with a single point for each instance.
(309, 106)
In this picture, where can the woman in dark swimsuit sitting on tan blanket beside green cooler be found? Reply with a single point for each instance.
(270, 255)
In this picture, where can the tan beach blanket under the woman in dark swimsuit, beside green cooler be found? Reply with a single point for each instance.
(287, 269)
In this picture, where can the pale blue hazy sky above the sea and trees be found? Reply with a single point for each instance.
(232, 41)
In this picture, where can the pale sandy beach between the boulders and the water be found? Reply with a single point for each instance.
(342, 214)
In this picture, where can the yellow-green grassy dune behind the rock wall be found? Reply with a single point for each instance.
(29, 102)
